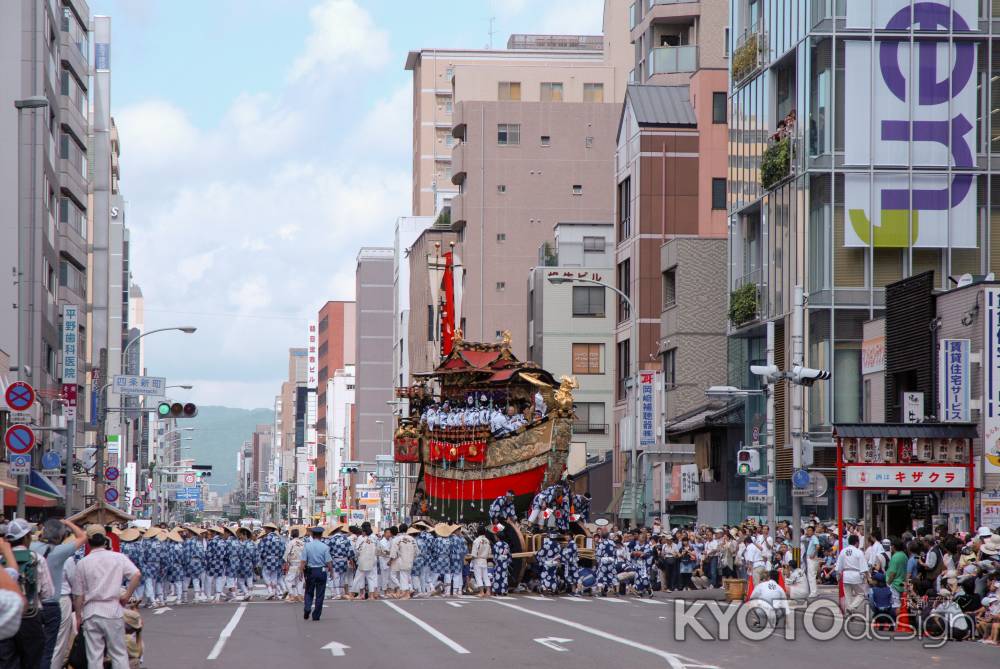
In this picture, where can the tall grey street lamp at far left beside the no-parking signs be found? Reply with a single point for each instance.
(25, 263)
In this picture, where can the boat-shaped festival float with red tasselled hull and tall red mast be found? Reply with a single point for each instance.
(462, 465)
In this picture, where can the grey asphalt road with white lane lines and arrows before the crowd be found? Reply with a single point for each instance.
(519, 631)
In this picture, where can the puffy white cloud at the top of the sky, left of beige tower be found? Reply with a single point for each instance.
(343, 36)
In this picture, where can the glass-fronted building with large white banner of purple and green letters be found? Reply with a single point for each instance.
(864, 136)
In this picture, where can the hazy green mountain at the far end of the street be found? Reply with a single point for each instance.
(219, 433)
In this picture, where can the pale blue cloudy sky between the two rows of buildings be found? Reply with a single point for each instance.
(263, 142)
